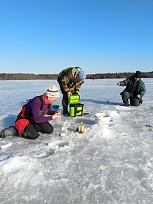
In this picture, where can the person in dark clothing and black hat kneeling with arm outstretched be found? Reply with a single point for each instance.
(135, 90)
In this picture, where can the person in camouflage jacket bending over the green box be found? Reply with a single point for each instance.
(70, 81)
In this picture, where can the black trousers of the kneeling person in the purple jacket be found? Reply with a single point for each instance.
(31, 130)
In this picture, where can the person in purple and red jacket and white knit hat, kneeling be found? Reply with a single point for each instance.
(36, 114)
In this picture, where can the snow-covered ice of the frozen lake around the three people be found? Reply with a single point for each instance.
(112, 162)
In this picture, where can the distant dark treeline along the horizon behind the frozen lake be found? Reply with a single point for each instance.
(25, 76)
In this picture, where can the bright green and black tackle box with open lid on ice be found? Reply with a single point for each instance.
(75, 107)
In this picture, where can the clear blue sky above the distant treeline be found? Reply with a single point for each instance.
(46, 36)
